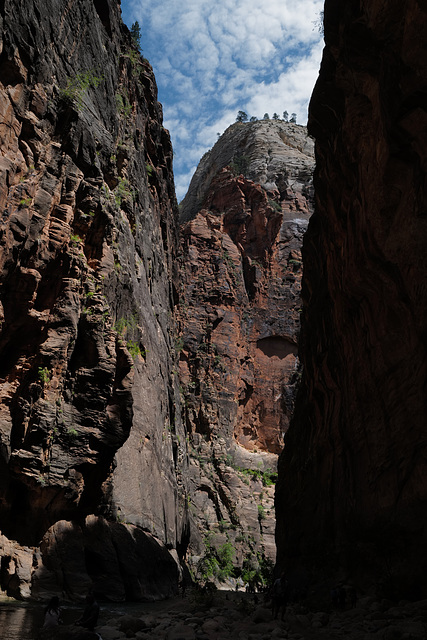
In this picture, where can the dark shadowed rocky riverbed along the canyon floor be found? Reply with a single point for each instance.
(226, 615)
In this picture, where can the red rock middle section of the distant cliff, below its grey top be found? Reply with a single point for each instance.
(226, 283)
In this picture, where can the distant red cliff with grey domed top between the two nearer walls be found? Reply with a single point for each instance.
(241, 273)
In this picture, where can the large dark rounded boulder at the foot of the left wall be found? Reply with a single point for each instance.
(116, 561)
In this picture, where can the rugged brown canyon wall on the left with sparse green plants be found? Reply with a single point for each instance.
(88, 397)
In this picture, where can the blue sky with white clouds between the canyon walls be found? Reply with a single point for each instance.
(213, 59)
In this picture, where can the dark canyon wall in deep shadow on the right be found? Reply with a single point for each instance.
(352, 480)
